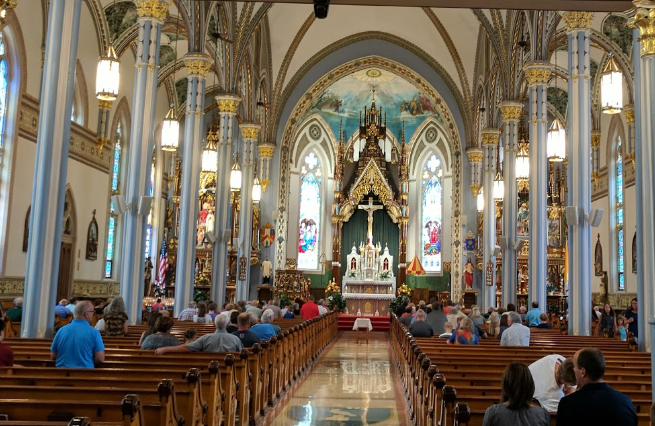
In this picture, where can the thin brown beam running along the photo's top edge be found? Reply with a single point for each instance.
(588, 5)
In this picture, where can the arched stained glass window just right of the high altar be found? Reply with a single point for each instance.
(431, 217)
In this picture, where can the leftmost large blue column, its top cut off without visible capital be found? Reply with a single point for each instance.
(50, 169)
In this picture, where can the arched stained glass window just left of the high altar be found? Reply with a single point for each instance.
(310, 213)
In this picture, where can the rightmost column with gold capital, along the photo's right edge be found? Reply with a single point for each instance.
(644, 70)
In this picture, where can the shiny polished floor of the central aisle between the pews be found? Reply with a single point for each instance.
(352, 384)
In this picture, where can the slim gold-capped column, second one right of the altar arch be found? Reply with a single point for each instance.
(490, 138)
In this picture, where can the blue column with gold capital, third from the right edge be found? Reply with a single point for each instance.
(537, 75)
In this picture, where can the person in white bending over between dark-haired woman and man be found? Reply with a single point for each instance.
(554, 378)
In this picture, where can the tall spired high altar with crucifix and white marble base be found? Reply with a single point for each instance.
(379, 169)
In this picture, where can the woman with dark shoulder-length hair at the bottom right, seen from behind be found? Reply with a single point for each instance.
(515, 406)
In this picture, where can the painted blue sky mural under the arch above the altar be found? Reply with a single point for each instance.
(398, 98)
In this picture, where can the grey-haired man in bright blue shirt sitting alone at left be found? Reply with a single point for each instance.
(78, 345)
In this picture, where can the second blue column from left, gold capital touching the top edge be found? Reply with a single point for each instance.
(152, 14)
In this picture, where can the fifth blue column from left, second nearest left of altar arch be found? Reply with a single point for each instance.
(250, 132)
